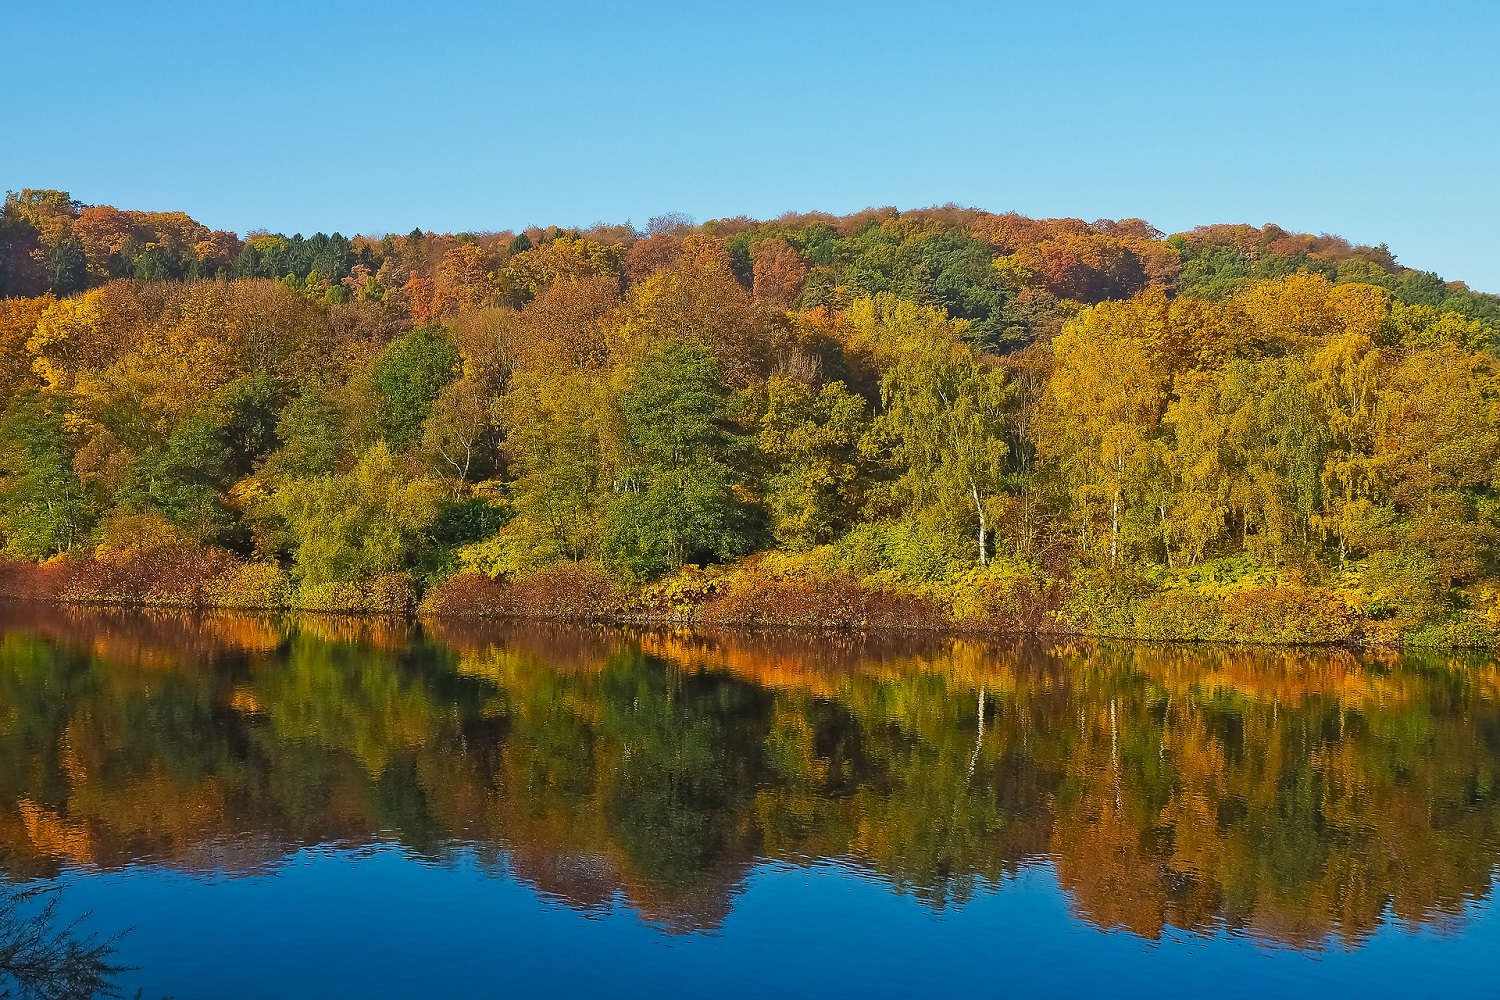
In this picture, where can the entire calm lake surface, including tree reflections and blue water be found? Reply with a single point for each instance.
(316, 807)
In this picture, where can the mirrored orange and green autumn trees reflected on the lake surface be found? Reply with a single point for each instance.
(1291, 795)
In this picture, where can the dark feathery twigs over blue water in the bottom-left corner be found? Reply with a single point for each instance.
(47, 959)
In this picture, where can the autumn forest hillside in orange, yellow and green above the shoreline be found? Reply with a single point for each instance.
(931, 419)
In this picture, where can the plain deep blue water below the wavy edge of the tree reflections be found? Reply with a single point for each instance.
(383, 924)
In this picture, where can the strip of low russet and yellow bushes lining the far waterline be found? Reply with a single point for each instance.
(808, 591)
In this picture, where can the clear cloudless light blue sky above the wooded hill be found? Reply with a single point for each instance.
(1375, 121)
